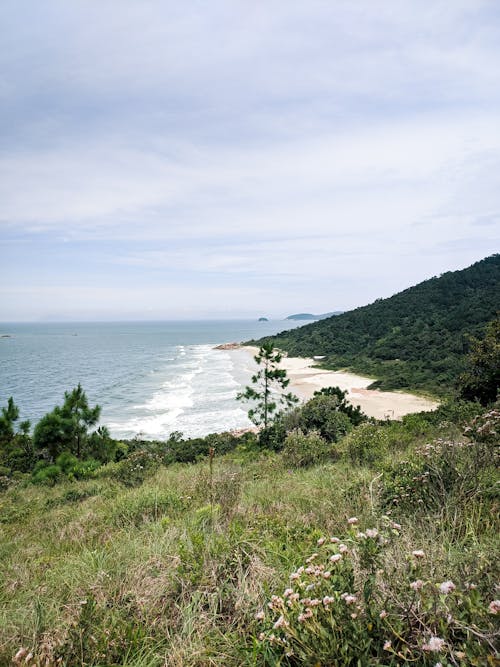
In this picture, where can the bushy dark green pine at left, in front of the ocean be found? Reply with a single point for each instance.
(67, 427)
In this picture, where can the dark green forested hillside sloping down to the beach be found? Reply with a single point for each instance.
(414, 339)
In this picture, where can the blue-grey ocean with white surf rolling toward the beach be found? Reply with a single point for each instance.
(150, 378)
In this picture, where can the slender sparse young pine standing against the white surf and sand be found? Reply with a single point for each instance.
(269, 385)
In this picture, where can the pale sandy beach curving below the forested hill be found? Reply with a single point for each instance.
(305, 379)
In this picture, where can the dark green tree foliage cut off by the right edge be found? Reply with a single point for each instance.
(481, 379)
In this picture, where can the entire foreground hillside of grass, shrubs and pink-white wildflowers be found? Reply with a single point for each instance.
(326, 539)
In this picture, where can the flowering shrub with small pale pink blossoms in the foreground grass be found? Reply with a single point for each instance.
(341, 608)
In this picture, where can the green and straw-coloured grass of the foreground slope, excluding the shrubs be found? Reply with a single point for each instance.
(109, 575)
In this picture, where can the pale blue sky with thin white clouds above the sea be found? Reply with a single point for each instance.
(167, 160)
